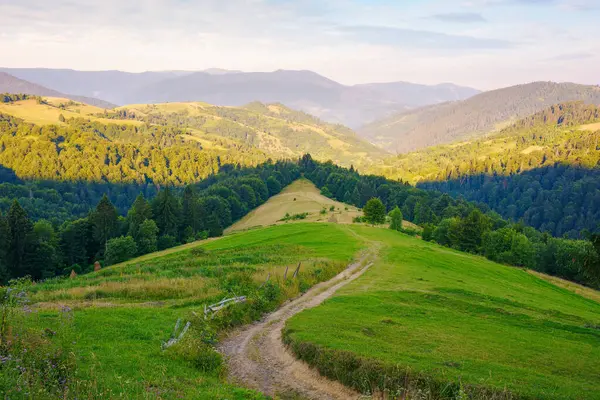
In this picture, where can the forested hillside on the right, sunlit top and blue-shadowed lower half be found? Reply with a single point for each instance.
(543, 169)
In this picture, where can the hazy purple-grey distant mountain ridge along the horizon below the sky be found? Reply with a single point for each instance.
(308, 91)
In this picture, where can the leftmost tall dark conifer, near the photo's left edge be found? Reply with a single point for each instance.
(20, 228)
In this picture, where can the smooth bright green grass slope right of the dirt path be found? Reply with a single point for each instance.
(444, 322)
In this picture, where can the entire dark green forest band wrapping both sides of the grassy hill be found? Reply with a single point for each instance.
(43, 248)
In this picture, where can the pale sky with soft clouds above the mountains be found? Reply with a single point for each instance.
(484, 44)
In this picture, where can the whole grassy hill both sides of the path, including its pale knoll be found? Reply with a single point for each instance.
(426, 316)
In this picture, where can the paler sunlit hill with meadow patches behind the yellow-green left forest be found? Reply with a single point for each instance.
(273, 128)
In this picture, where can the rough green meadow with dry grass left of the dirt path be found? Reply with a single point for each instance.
(114, 321)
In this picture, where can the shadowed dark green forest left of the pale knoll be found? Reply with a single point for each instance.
(43, 249)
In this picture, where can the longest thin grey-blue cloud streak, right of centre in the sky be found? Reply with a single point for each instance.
(409, 38)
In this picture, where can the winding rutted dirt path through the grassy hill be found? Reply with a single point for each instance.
(258, 359)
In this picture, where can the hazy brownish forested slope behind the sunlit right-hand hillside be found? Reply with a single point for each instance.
(480, 114)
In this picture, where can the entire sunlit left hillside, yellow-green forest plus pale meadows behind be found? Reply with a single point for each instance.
(174, 143)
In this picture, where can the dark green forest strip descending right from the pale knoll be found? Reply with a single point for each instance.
(463, 225)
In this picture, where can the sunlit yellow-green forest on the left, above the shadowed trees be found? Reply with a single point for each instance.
(95, 152)
